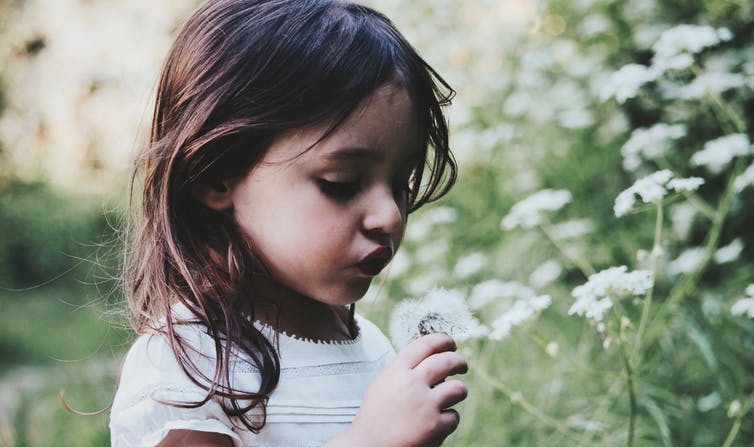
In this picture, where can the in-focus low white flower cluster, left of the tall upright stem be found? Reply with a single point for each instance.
(593, 299)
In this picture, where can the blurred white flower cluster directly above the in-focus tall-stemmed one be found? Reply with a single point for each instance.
(650, 143)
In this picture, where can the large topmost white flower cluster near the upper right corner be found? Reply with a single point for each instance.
(686, 39)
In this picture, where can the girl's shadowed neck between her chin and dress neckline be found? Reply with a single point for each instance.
(298, 315)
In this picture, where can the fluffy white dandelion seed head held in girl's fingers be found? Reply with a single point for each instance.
(440, 310)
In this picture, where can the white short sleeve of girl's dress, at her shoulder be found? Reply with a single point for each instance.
(151, 374)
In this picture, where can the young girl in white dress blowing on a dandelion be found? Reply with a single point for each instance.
(290, 140)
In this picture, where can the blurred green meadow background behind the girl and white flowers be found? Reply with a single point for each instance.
(76, 80)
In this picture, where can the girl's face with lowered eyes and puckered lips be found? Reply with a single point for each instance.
(325, 222)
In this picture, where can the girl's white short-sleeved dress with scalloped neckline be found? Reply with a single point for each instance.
(319, 393)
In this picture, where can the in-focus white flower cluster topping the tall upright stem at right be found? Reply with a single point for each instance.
(652, 188)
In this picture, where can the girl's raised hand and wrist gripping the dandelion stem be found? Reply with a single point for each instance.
(408, 405)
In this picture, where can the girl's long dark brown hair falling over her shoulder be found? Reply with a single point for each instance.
(239, 74)
